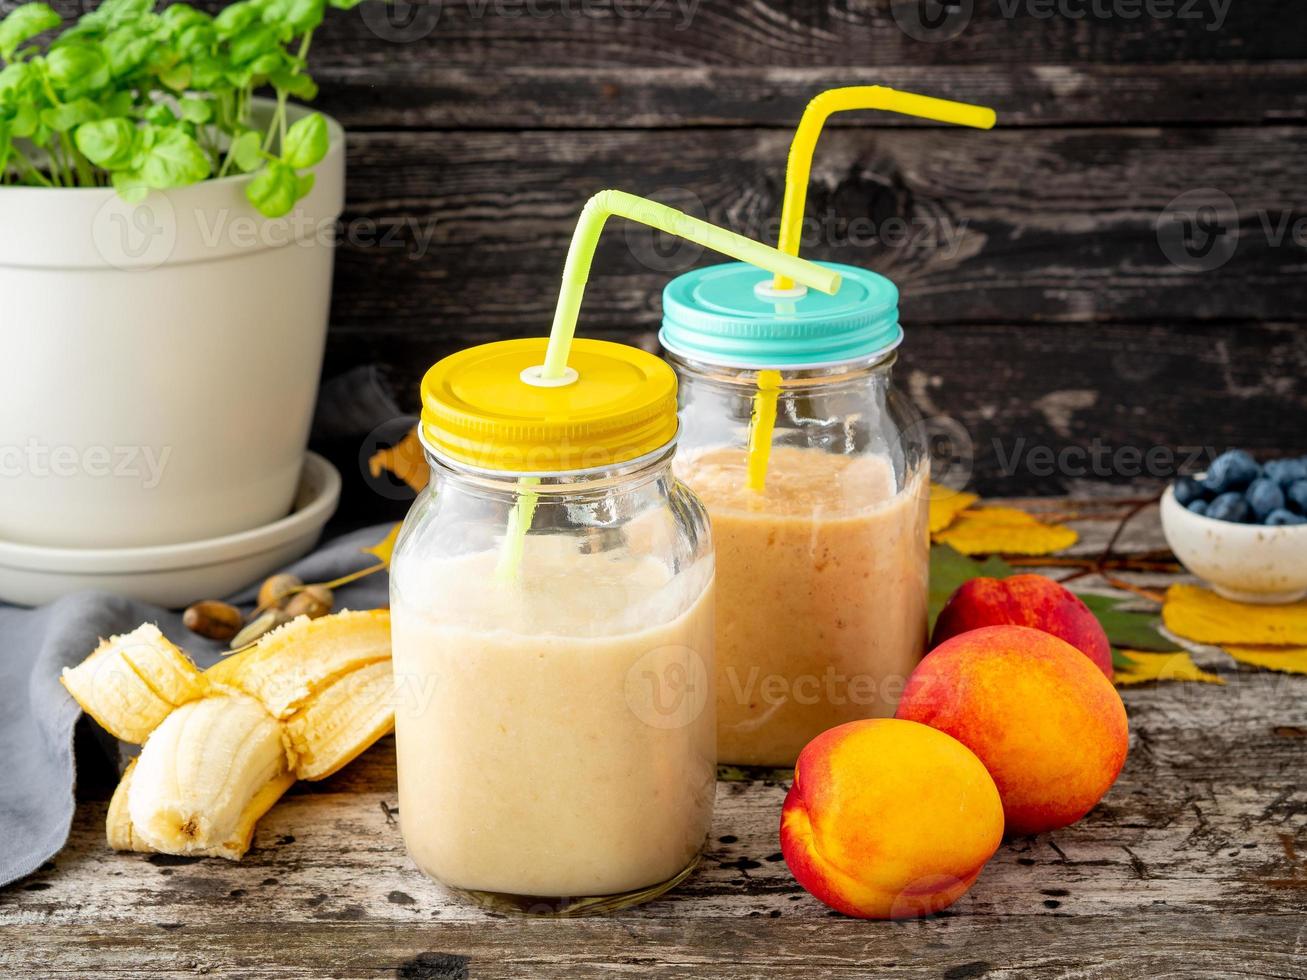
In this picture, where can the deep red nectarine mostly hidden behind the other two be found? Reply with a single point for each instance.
(1025, 600)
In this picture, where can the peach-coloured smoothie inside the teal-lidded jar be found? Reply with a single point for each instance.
(821, 594)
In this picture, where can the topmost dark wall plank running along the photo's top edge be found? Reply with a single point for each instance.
(487, 36)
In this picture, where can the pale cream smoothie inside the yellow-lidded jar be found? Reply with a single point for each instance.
(555, 736)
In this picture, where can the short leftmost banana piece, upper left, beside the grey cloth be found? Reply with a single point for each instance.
(130, 684)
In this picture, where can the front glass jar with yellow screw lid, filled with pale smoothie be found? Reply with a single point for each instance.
(552, 615)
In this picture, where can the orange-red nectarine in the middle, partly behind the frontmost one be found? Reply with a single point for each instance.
(1046, 723)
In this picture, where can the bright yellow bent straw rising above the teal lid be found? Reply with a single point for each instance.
(841, 101)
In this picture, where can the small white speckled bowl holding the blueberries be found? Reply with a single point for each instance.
(1245, 563)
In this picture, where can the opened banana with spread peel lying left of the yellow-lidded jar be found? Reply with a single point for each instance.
(222, 747)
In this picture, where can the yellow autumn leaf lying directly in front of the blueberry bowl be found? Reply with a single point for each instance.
(1203, 616)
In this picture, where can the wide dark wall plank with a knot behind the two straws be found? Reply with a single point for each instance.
(1003, 227)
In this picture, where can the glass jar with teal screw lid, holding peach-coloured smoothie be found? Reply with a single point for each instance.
(824, 561)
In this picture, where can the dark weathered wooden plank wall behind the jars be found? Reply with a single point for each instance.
(1041, 305)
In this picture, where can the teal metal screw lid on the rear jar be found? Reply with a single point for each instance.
(731, 316)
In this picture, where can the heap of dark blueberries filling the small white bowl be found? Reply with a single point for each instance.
(1240, 491)
